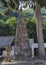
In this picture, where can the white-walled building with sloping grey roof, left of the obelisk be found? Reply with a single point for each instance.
(5, 41)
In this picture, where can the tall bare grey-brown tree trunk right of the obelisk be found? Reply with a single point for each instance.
(39, 31)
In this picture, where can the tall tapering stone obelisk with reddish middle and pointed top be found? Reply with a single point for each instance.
(22, 40)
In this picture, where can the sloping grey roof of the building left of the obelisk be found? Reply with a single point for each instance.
(6, 40)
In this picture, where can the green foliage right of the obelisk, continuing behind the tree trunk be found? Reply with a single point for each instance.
(31, 28)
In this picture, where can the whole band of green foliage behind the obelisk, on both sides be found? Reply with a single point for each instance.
(8, 28)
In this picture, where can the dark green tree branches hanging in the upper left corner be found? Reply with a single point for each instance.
(10, 5)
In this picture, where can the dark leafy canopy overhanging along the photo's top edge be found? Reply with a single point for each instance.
(14, 4)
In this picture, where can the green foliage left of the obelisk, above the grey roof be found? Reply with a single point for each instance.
(9, 27)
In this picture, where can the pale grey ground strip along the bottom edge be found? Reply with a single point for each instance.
(31, 62)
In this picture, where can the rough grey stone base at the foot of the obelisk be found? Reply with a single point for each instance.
(23, 55)
